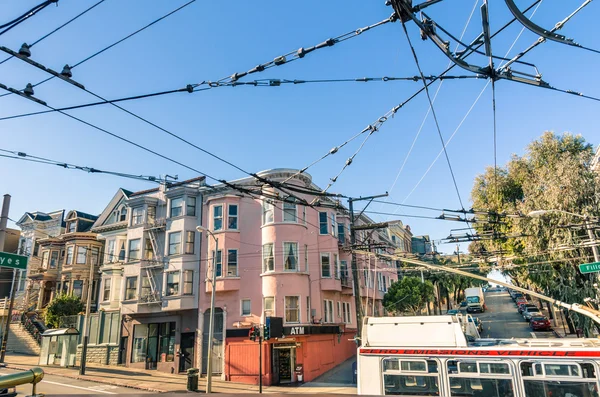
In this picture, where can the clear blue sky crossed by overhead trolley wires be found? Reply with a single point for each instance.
(260, 128)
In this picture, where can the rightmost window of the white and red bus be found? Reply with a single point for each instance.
(565, 379)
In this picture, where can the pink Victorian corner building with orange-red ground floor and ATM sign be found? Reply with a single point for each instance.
(279, 258)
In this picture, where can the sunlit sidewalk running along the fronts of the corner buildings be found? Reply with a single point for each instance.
(160, 382)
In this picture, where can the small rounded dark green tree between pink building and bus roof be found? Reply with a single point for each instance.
(409, 294)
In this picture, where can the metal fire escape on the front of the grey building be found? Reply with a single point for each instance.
(152, 264)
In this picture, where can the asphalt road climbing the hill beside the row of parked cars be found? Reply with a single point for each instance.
(501, 319)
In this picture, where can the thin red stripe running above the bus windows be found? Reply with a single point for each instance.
(496, 353)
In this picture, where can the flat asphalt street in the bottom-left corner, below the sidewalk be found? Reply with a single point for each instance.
(58, 386)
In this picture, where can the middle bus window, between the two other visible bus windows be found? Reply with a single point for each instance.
(491, 380)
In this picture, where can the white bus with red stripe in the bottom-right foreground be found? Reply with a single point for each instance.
(430, 356)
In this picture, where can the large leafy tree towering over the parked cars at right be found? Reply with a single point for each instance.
(553, 174)
